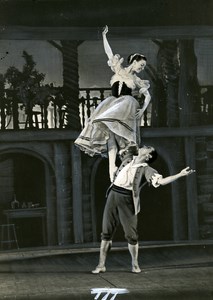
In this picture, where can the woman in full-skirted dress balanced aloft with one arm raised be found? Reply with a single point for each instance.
(114, 125)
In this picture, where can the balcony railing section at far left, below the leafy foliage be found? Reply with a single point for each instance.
(16, 115)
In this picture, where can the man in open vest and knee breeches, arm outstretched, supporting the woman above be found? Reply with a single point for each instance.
(123, 202)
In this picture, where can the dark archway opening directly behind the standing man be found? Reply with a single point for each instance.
(155, 218)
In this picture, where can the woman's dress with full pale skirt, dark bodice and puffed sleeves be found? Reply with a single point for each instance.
(114, 115)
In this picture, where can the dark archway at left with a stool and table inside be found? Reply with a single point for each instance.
(24, 176)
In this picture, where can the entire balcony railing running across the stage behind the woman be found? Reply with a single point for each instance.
(16, 115)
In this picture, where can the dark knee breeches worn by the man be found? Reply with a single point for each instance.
(119, 208)
